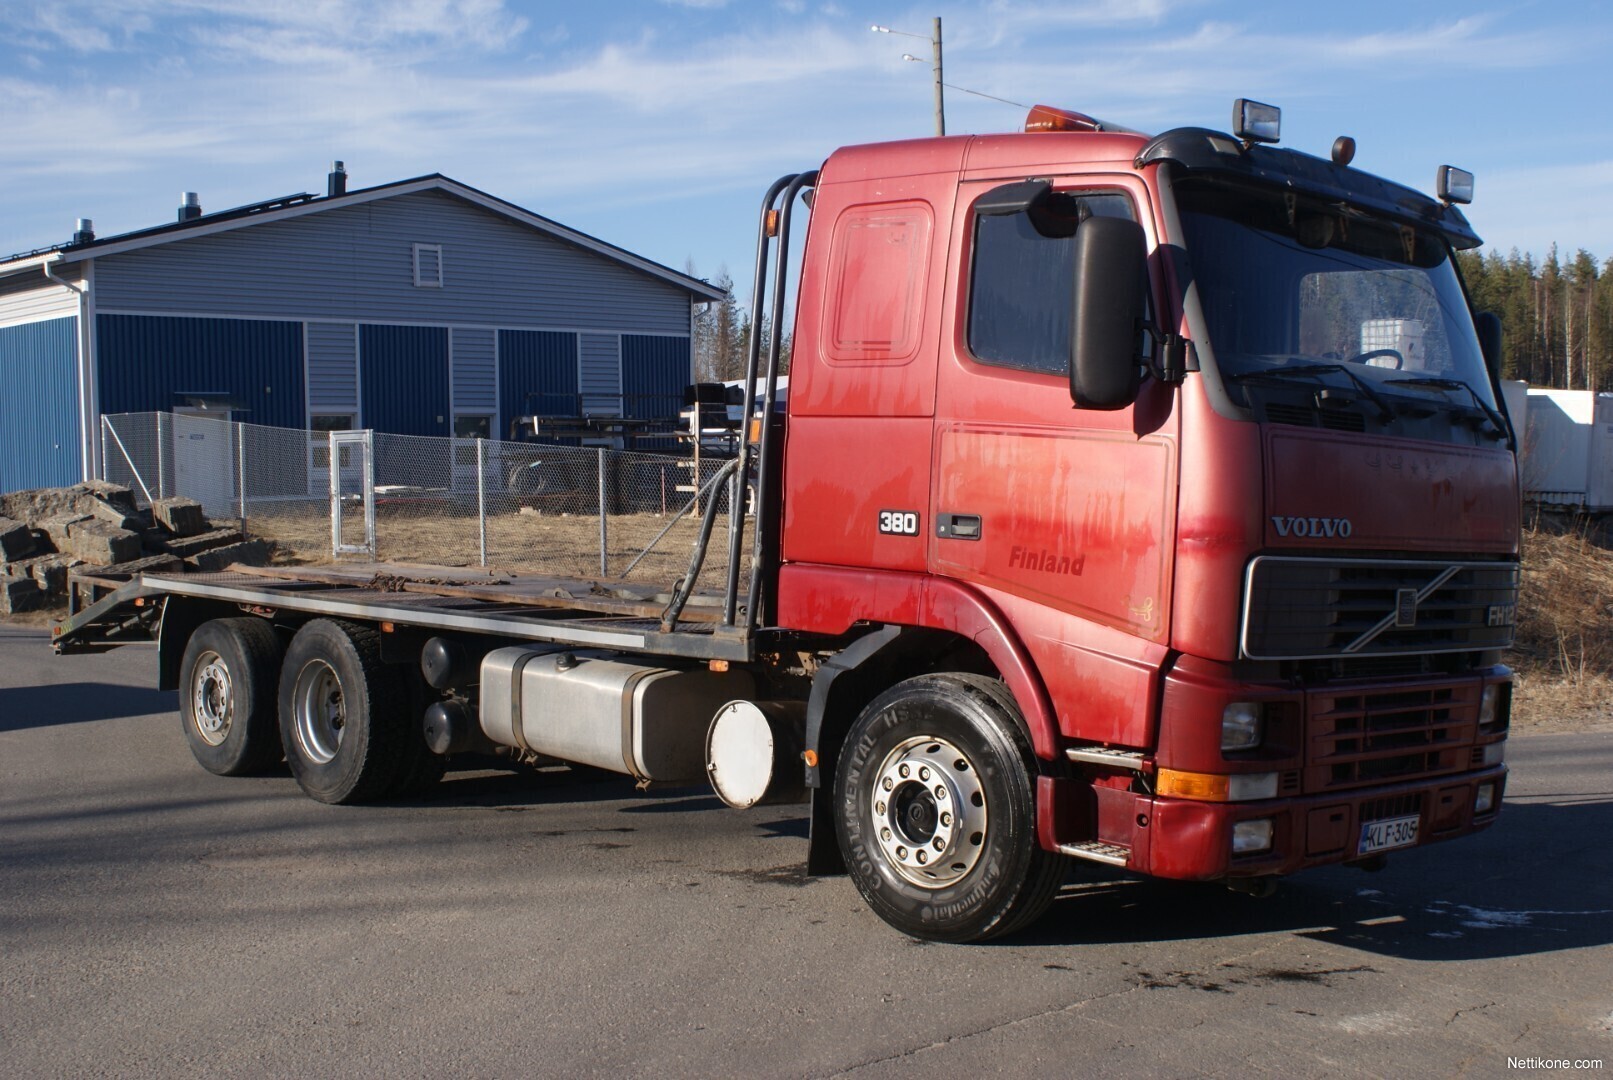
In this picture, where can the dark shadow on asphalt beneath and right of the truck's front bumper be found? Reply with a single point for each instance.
(1540, 883)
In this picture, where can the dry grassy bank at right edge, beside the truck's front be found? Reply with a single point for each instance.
(1565, 634)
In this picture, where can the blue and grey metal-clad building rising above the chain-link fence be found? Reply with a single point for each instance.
(422, 309)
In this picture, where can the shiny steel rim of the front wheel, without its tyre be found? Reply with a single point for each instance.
(930, 812)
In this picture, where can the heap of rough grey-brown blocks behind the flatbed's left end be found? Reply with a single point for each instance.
(94, 530)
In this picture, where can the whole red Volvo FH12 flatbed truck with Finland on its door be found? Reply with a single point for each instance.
(1138, 501)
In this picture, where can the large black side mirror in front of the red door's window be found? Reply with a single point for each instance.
(1107, 314)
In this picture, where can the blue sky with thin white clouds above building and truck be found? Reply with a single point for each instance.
(657, 125)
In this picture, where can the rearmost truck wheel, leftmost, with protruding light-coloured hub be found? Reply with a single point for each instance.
(227, 696)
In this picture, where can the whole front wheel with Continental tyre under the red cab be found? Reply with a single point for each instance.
(936, 812)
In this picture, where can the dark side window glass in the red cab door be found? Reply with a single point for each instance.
(1023, 280)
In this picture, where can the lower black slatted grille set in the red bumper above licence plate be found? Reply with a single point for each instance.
(1361, 739)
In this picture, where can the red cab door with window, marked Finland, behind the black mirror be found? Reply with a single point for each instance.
(1065, 517)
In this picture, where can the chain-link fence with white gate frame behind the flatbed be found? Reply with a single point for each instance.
(573, 512)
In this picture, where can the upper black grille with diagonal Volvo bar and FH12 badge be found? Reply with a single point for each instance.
(1301, 609)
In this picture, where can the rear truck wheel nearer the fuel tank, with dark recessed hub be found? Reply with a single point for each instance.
(343, 715)
